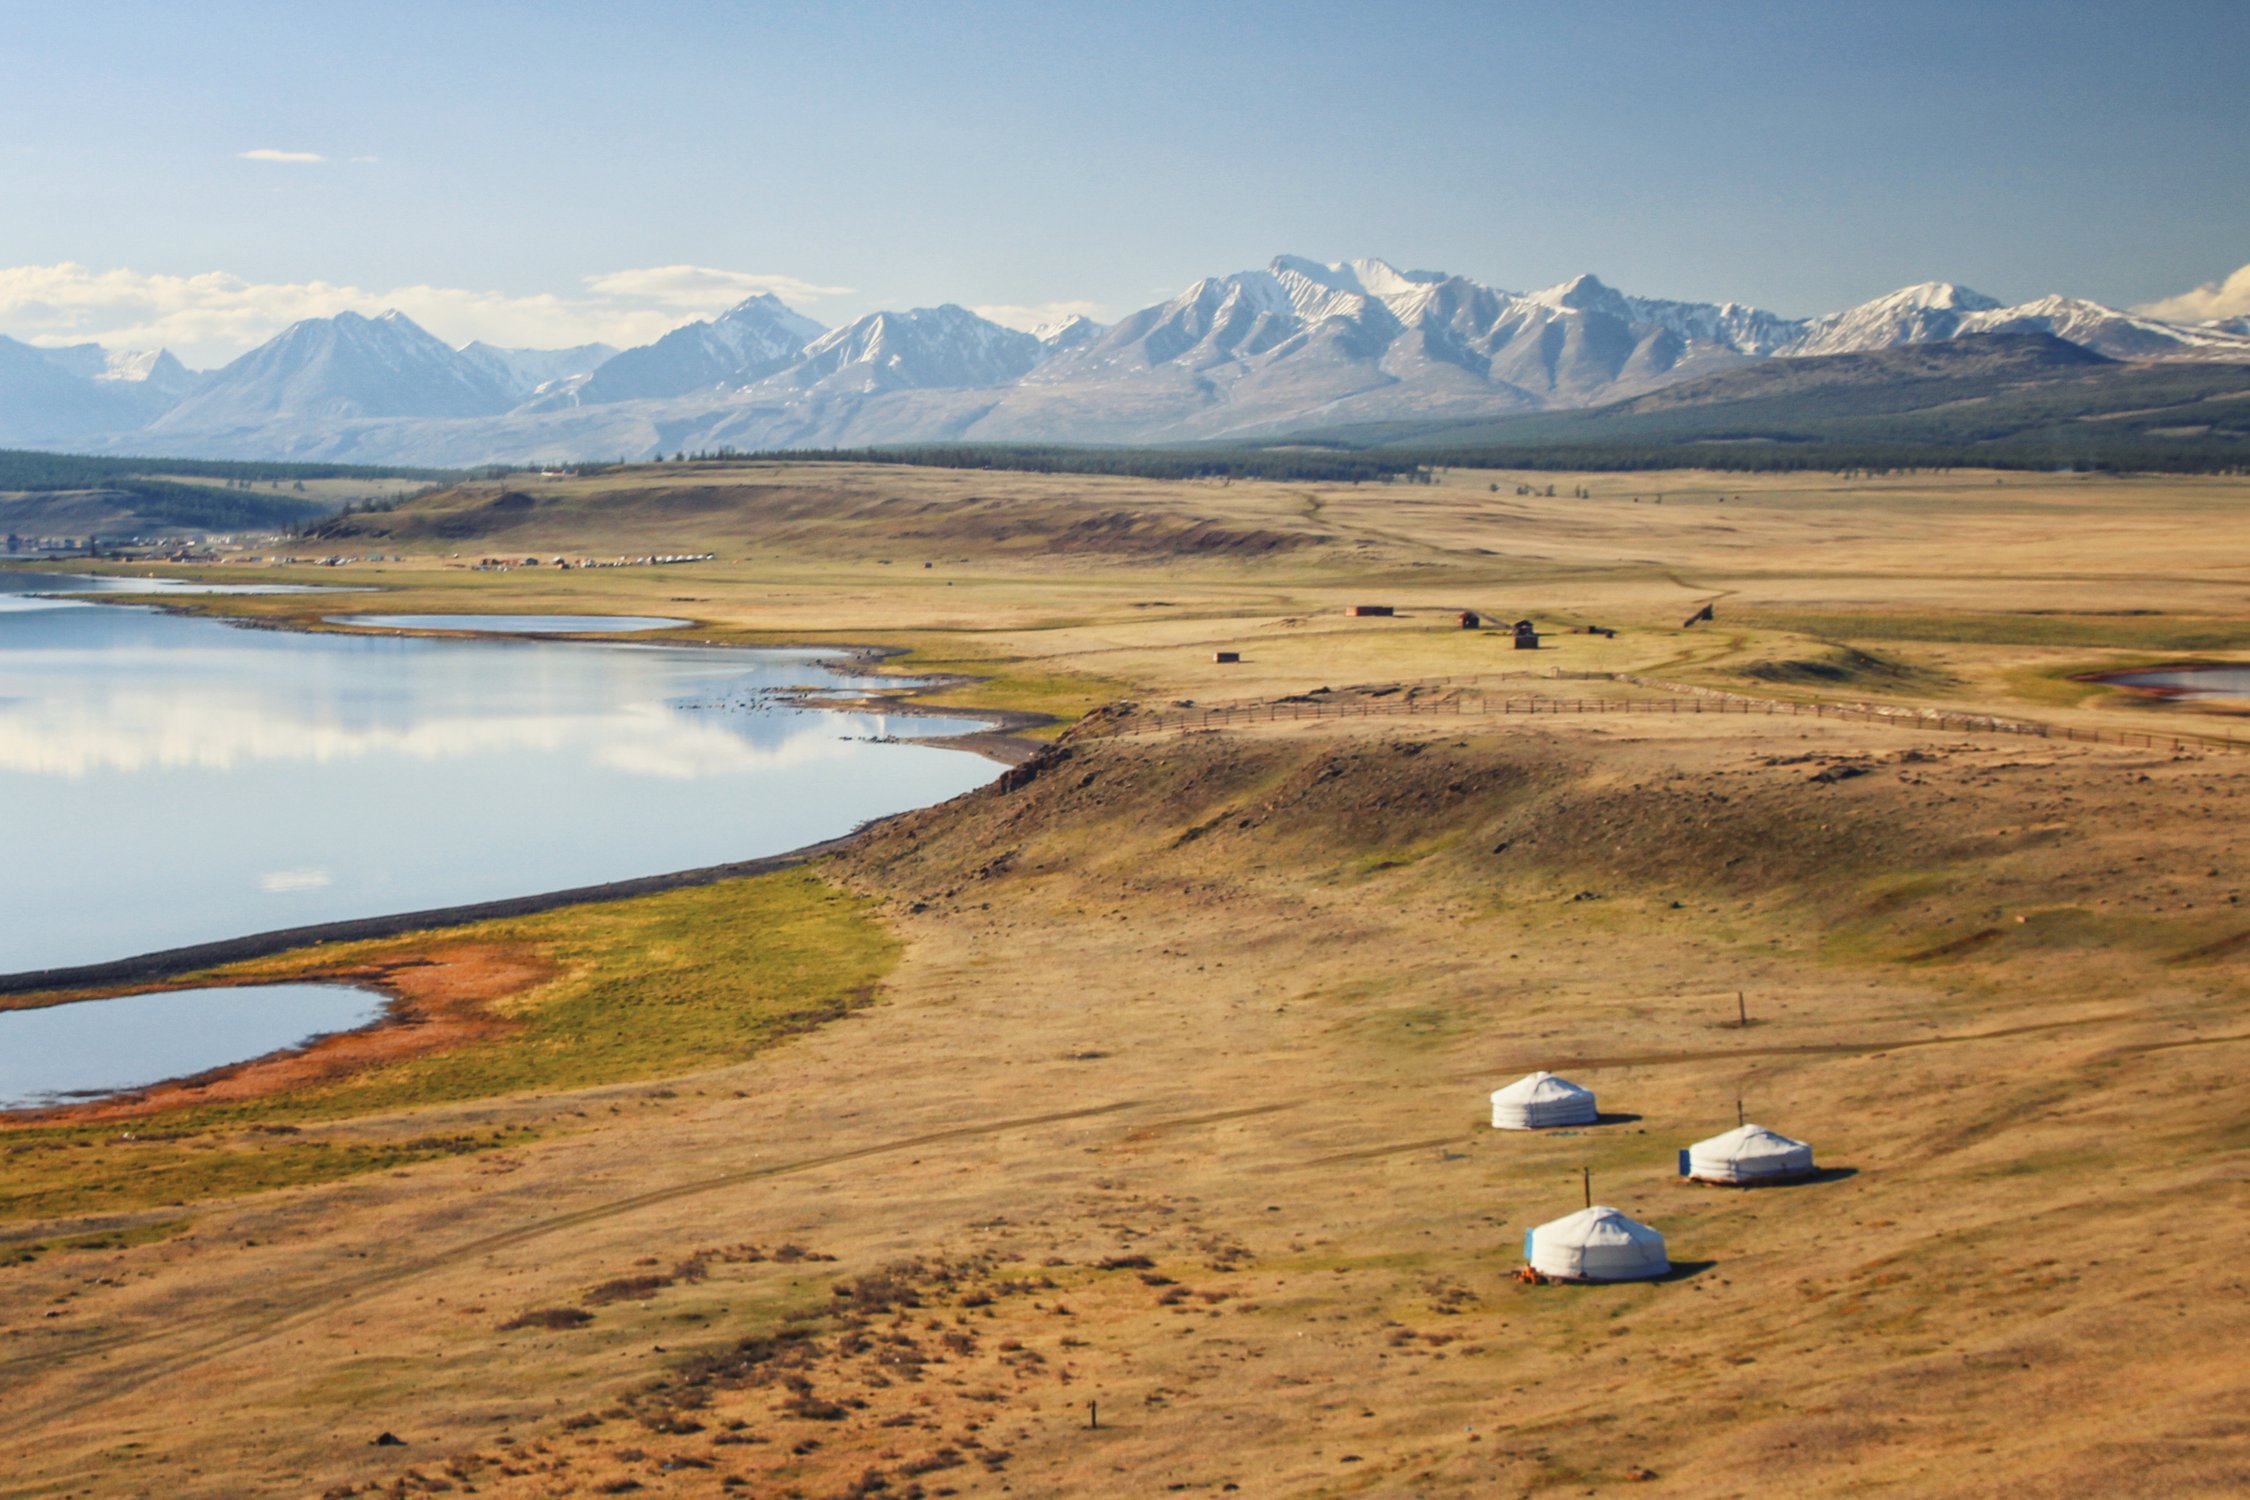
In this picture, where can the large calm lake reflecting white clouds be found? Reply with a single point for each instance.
(170, 781)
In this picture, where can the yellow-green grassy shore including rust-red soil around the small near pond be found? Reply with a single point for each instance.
(525, 1009)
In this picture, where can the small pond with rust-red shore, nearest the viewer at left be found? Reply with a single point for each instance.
(87, 1049)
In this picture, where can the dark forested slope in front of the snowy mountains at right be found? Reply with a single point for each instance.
(2017, 397)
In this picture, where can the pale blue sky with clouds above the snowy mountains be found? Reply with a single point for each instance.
(550, 174)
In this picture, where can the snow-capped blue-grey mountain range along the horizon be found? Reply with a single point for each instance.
(1293, 347)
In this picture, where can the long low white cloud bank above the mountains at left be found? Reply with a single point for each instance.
(215, 316)
